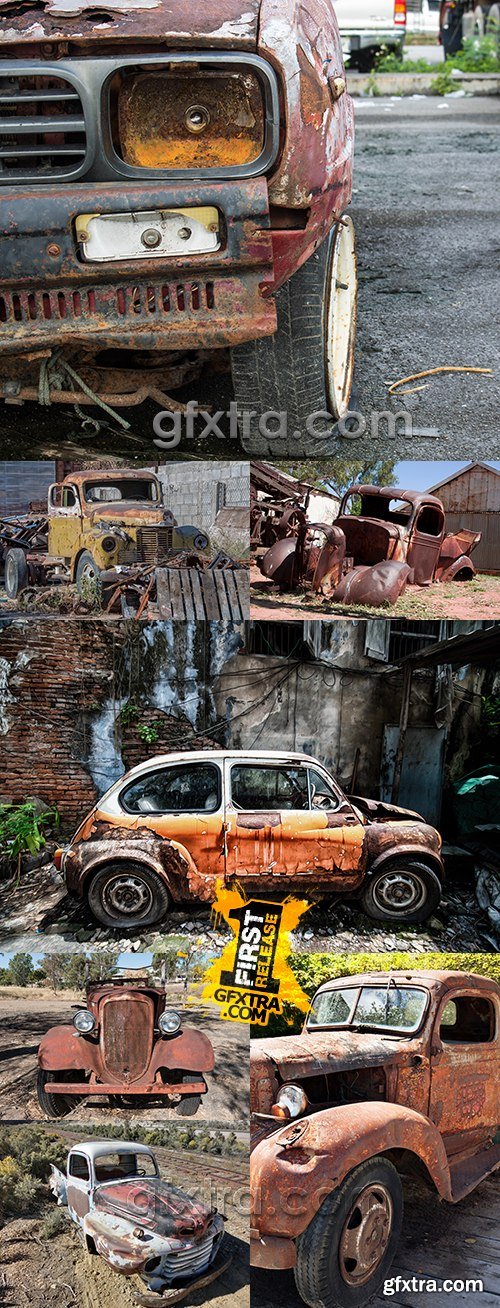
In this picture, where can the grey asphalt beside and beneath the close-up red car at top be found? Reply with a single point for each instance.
(426, 214)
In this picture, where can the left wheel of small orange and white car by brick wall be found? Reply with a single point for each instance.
(124, 884)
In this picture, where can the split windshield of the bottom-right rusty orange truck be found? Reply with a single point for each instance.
(387, 1008)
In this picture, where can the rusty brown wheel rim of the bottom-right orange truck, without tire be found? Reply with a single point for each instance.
(366, 1235)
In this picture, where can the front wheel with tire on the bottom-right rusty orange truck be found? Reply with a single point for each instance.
(345, 1255)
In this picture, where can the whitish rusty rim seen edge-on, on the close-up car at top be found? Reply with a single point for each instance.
(341, 320)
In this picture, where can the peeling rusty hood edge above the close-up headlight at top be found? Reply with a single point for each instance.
(173, 23)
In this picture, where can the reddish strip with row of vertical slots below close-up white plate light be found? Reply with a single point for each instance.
(108, 303)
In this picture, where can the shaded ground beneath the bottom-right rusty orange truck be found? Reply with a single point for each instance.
(439, 1241)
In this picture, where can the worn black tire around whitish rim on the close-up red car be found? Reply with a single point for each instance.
(290, 371)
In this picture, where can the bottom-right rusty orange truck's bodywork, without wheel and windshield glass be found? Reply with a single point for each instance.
(329, 1101)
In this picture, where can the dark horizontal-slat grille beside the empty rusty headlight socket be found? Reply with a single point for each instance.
(43, 128)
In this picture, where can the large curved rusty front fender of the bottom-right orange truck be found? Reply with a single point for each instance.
(296, 1169)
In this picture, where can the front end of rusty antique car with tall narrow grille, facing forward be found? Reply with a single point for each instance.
(125, 1042)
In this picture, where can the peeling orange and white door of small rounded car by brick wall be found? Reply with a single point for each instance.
(277, 836)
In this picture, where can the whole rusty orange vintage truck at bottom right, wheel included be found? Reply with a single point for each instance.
(392, 1073)
